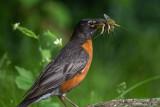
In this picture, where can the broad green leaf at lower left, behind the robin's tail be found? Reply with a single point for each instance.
(25, 78)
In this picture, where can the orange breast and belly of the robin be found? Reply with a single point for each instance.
(69, 84)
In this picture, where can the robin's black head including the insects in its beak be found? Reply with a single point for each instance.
(87, 27)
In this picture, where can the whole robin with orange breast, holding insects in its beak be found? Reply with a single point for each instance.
(71, 65)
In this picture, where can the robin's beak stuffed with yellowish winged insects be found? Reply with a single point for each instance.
(106, 24)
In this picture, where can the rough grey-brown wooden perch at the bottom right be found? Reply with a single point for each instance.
(153, 102)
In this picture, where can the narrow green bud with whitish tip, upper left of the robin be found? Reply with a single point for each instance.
(25, 31)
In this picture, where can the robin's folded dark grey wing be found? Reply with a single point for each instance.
(70, 62)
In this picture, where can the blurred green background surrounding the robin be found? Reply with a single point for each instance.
(123, 58)
